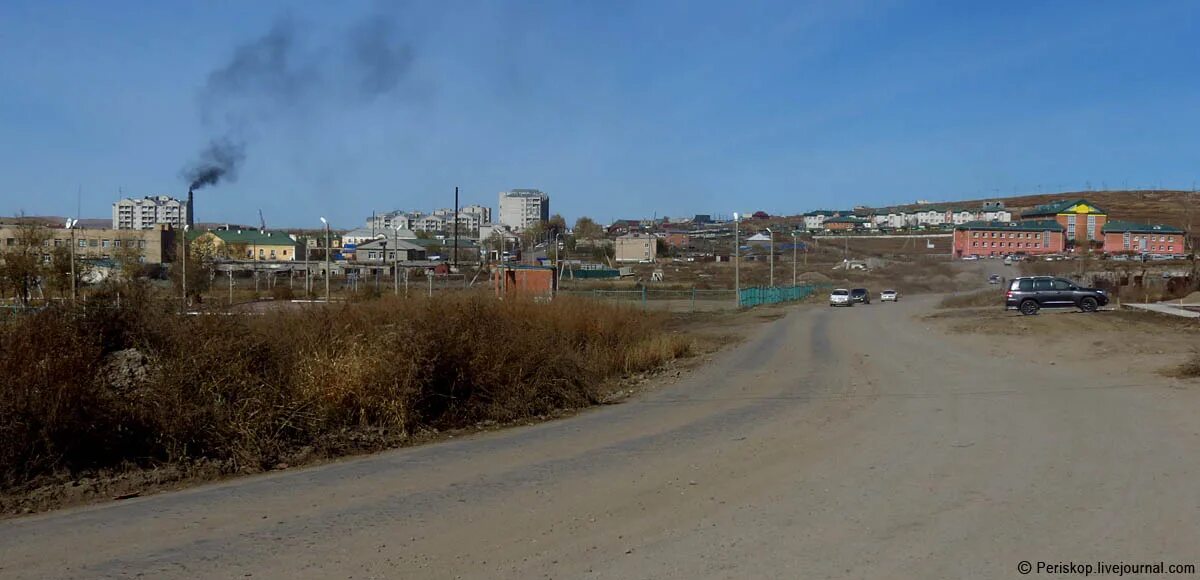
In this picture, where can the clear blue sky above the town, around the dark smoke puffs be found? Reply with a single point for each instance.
(615, 109)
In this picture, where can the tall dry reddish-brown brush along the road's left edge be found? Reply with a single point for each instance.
(248, 392)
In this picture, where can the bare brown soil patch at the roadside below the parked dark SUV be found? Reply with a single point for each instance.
(1123, 342)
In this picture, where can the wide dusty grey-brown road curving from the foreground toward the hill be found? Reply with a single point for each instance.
(835, 444)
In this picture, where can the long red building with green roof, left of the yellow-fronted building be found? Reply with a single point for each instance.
(997, 238)
